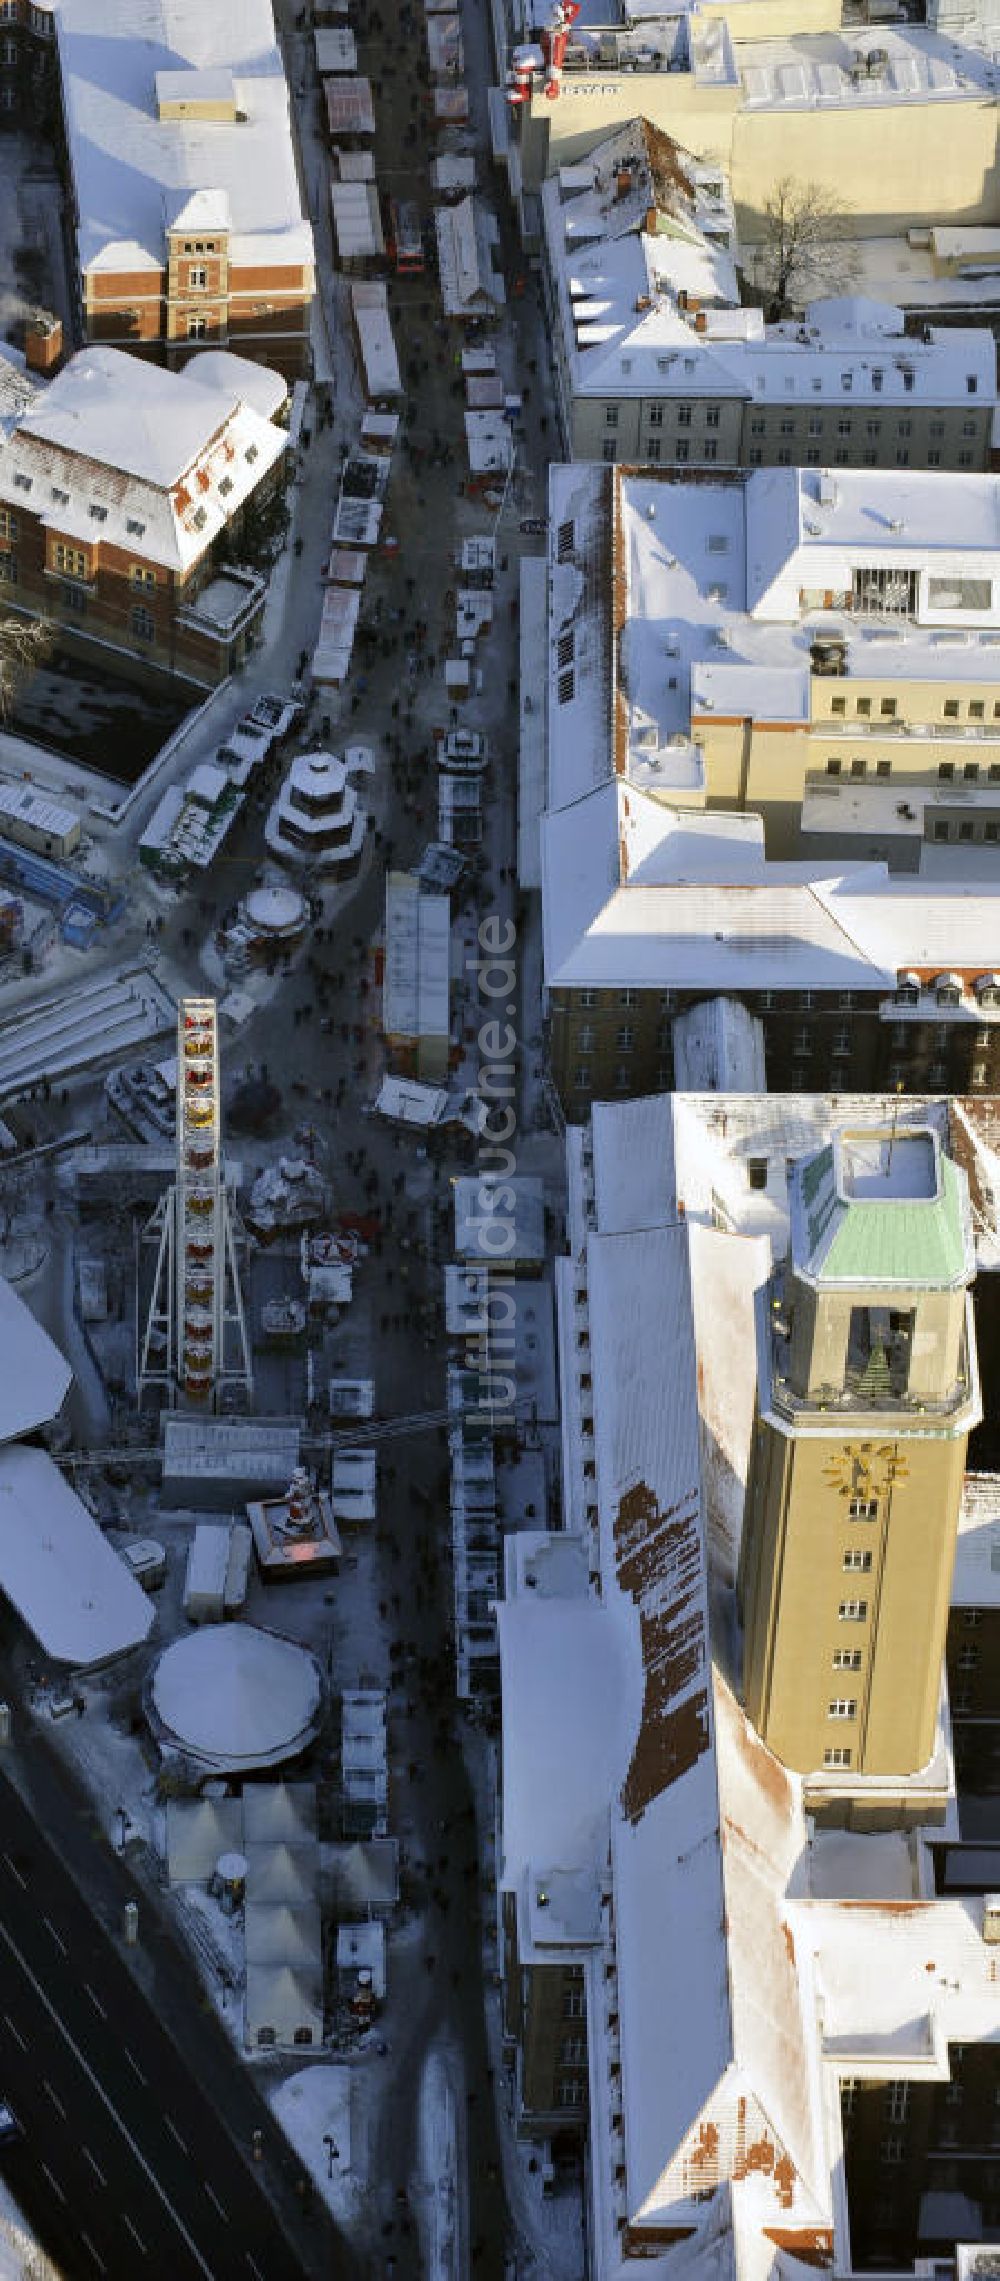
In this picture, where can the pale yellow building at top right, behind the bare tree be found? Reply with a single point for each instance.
(894, 124)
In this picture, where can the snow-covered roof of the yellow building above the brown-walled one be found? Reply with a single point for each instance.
(675, 603)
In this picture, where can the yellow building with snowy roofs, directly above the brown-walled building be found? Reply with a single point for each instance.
(809, 644)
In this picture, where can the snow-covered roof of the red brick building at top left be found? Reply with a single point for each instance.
(138, 174)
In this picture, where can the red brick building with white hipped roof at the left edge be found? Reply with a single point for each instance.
(122, 501)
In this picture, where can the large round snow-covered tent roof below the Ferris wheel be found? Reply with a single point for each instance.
(236, 1698)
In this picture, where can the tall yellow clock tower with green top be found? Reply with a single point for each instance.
(866, 1397)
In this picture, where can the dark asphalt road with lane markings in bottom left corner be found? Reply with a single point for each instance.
(122, 2164)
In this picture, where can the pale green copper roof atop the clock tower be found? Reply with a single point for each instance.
(894, 1237)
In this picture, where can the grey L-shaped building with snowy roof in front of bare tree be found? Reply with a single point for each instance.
(659, 362)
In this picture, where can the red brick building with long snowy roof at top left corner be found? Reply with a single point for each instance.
(184, 181)
